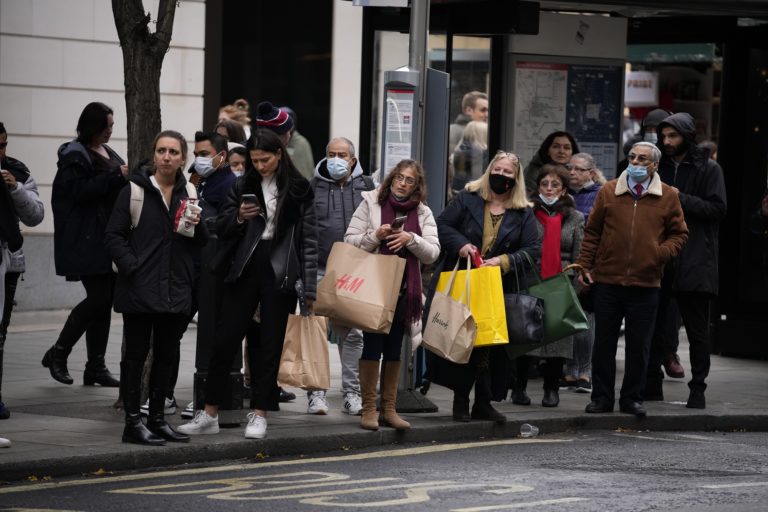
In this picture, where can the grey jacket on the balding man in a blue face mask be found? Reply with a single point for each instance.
(335, 203)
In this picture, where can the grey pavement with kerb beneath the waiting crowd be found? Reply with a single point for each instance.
(58, 430)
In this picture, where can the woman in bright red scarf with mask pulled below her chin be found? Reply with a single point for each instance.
(561, 227)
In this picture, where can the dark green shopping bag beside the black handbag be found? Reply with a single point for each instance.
(563, 314)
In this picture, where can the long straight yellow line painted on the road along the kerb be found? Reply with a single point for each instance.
(402, 452)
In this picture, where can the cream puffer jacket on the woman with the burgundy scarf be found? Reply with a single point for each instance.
(367, 219)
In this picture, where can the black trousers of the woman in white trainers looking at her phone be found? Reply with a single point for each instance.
(239, 302)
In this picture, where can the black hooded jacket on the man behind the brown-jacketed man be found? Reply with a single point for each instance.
(702, 196)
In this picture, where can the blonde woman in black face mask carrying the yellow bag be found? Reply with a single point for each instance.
(490, 216)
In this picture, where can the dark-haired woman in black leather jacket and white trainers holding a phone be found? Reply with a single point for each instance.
(268, 219)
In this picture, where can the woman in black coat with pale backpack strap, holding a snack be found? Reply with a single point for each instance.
(154, 284)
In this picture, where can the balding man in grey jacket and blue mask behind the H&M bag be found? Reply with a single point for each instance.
(338, 184)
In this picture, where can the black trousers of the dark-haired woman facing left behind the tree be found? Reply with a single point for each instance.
(91, 316)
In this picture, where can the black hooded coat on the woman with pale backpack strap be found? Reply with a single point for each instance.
(155, 264)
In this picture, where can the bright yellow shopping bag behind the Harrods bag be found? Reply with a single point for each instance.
(486, 302)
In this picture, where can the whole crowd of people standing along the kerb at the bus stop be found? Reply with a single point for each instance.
(135, 239)
